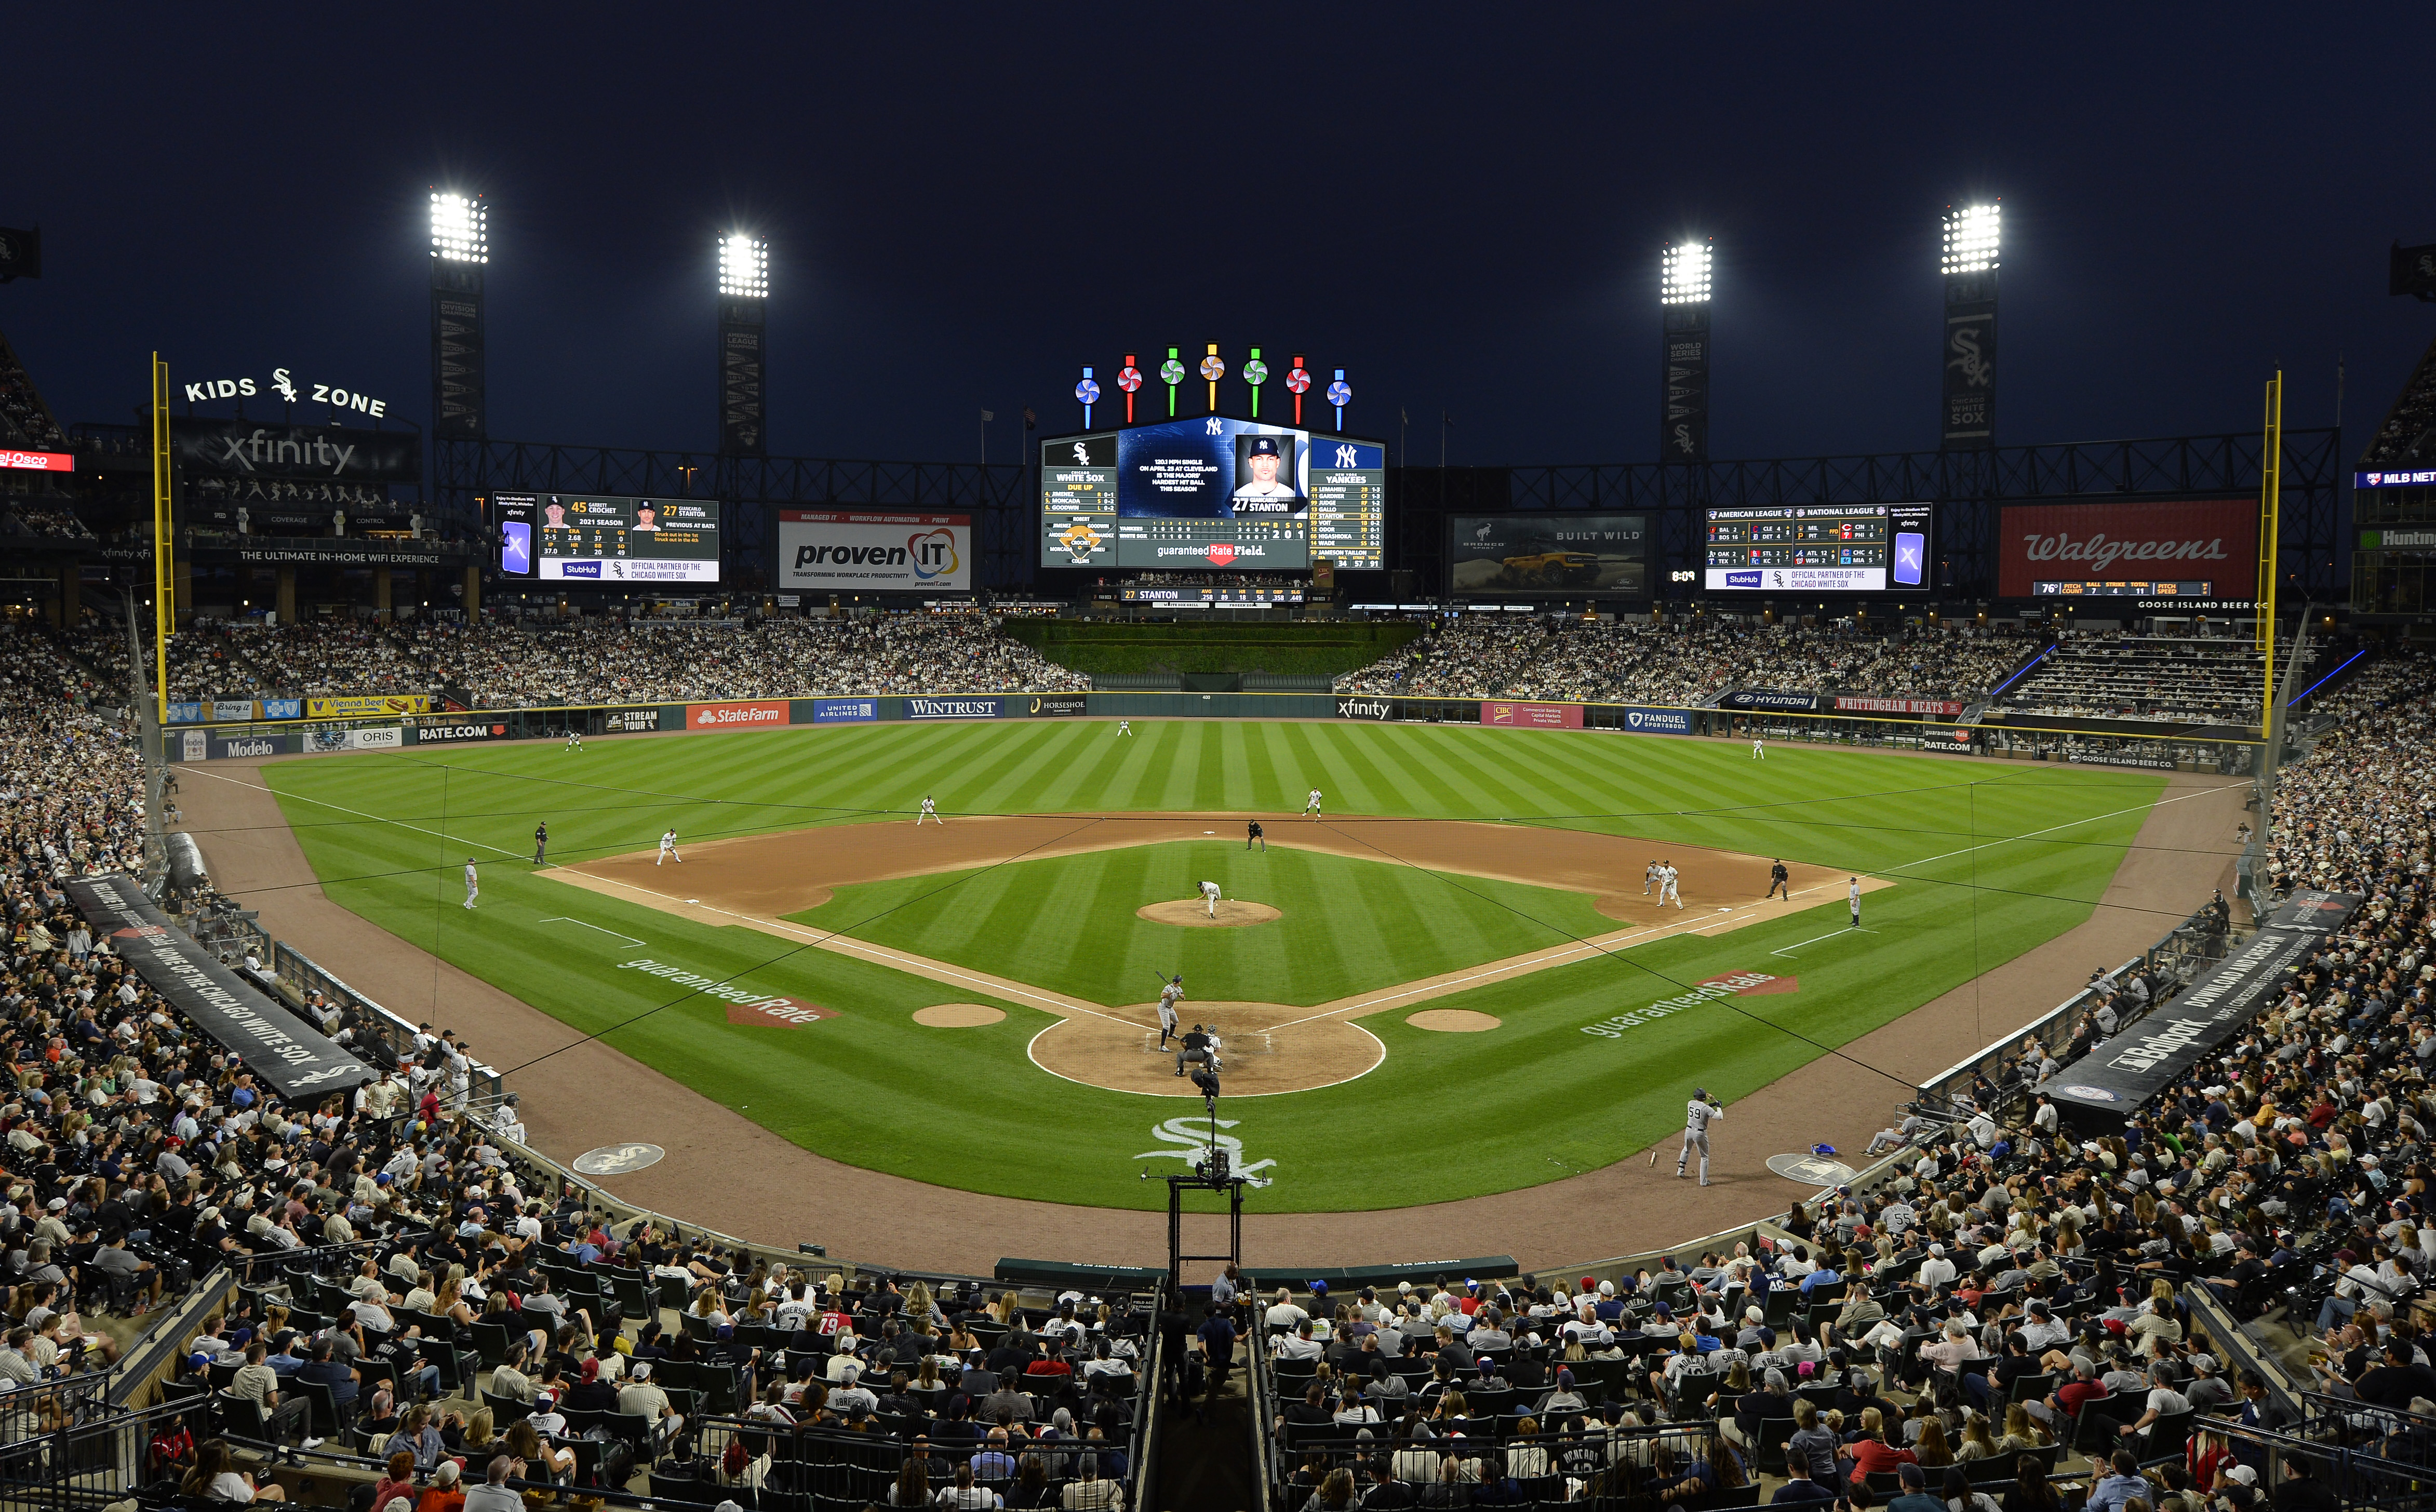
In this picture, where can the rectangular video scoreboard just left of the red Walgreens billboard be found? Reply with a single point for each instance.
(1821, 549)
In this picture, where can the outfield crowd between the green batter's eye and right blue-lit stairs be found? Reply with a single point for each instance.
(1680, 663)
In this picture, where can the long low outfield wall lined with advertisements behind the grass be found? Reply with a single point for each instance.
(2162, 749)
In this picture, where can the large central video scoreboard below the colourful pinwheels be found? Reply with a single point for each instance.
(1212, 493)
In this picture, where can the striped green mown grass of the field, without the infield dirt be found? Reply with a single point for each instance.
(1989, 863)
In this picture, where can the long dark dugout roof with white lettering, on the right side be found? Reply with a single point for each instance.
(2106, 1087)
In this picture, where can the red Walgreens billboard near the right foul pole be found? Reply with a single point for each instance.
(2184, 539)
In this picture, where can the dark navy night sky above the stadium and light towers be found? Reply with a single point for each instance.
(1460, 206)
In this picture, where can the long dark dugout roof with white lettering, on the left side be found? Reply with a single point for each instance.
(272, 1041)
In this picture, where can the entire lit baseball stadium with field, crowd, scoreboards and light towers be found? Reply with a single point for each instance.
(1209, 965)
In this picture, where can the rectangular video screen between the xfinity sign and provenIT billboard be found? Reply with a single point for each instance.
(608, 539)
